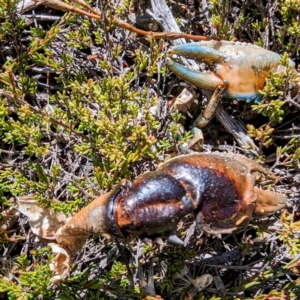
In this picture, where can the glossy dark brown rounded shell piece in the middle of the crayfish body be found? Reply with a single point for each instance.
(152, 205)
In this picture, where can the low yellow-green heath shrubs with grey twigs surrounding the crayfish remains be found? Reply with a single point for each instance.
(84, 104)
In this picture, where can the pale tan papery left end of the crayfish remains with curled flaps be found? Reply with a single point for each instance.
(69, 233)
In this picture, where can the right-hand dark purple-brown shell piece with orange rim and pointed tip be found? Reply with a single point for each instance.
(223, 188)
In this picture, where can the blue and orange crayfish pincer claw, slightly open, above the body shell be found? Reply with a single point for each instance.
(238, 67)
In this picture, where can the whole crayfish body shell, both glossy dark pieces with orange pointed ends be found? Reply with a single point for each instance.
(219, 189)
